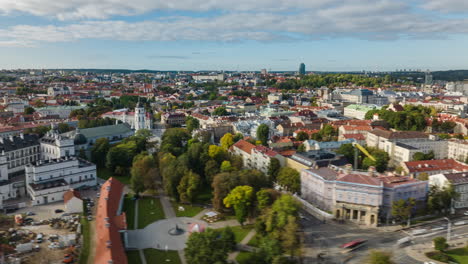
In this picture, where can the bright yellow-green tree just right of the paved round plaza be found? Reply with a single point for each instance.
(240, 198)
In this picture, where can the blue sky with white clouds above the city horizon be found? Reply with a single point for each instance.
(327, 35)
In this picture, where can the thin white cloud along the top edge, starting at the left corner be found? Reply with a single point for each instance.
(102, 9)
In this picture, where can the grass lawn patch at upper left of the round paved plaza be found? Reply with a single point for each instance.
(149, 211)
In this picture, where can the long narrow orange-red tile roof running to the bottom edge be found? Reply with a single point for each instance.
(109, 246)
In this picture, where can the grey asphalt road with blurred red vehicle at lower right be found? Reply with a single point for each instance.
(326, 238)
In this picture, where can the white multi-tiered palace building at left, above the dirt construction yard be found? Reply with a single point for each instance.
(47, 181)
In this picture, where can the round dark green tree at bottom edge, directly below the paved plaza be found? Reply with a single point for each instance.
(206, 247)
